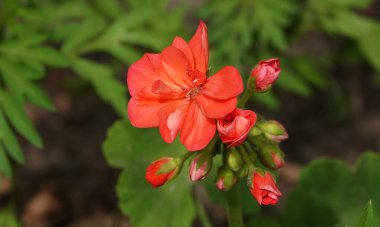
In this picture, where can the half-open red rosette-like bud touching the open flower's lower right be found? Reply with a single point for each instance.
(234, 127)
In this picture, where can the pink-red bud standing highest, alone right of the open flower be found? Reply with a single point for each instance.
(266, 73)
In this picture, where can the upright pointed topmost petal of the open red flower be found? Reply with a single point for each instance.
(199, 47)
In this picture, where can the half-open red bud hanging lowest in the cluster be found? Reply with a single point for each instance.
(264, 189)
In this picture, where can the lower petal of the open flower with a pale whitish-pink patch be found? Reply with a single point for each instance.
(170, 120)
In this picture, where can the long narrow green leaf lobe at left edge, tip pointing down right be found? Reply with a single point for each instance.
(16, 115)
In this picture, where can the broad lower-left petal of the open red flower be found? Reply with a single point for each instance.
(143, 108)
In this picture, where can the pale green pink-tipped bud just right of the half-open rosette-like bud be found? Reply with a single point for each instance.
(273, 130)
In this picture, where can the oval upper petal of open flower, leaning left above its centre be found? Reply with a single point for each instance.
(176, 65)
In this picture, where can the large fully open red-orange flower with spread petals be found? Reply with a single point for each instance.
(170, 90)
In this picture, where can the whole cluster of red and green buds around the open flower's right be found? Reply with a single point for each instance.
(249, 146)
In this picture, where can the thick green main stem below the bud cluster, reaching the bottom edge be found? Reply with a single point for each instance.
(235, 215)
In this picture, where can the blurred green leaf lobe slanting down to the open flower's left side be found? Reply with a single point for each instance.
(106, 86)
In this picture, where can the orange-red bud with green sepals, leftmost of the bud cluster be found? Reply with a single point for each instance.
(161, 171)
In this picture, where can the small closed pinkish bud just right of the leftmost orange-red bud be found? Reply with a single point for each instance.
(200, 166)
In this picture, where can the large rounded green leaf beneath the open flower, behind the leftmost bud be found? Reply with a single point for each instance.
(133, 150)
